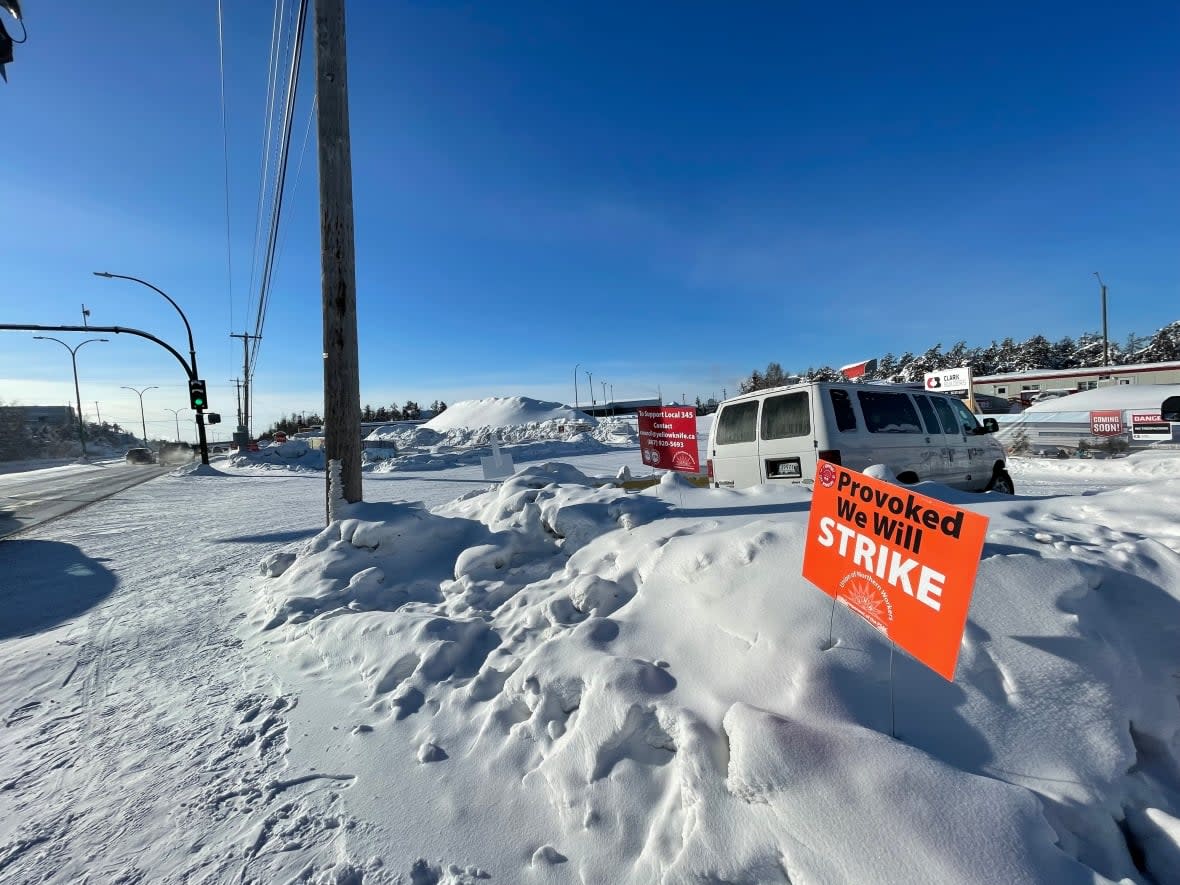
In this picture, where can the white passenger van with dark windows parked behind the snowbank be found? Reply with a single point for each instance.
(779, 435)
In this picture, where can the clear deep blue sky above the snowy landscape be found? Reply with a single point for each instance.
(671, 195)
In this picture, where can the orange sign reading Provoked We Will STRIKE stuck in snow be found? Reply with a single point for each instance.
(902, 561)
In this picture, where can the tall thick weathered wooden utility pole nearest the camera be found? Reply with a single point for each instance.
(342, 363)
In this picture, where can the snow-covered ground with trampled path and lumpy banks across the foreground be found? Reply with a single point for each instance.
(559, 681)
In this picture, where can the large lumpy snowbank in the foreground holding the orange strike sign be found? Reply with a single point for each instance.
(640, 687)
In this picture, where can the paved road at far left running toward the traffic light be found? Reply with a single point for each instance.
(29, 500)
